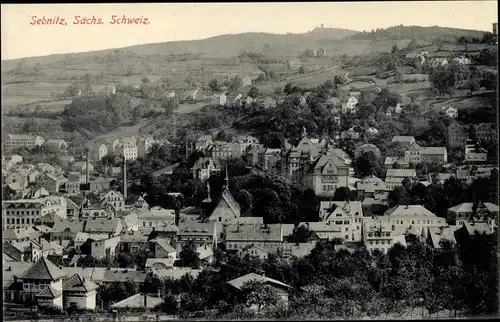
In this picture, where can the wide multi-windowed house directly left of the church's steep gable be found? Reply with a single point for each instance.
(200, 233)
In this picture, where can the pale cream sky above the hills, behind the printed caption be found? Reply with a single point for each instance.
(188, 21)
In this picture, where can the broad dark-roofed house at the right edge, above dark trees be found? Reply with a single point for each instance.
(467, 212)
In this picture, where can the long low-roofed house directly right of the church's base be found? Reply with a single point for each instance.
(267, 237)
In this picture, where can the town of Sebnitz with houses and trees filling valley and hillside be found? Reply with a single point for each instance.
(361, 194)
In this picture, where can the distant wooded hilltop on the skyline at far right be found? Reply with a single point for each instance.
(421, 33)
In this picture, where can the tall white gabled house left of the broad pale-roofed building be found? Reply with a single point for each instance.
(346, 215)
